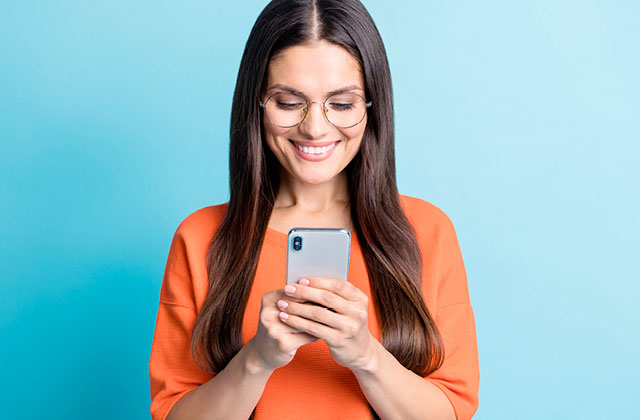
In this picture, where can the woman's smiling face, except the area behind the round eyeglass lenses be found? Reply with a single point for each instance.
(315, 70)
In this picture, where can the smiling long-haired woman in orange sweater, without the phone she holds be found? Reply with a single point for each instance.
(312, 146)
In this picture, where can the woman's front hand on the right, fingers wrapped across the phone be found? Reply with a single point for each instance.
(344, 328)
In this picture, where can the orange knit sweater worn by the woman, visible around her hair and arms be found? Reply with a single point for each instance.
(329, 391)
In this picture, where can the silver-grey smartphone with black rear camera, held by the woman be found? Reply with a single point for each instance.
(318, 252)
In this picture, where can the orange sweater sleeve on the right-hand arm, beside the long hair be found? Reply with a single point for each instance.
(459, 376)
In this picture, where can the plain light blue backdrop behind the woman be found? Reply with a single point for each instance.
(518, 118)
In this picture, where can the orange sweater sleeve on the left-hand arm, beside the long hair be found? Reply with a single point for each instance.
(172, 370)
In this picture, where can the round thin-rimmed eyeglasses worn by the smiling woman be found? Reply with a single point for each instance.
(344, 110)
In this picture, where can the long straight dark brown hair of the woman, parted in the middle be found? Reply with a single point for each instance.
(388, 241)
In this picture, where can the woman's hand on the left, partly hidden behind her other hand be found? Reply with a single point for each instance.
(275, 343)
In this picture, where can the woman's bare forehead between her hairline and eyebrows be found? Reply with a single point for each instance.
(315, 68)
